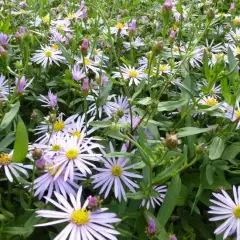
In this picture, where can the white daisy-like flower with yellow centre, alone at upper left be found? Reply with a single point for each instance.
(48, 55)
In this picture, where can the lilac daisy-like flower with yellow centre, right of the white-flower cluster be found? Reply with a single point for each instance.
(115, 174)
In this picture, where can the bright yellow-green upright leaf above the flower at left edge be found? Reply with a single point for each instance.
(21, 143)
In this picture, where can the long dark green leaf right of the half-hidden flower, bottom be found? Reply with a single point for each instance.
(170, 200)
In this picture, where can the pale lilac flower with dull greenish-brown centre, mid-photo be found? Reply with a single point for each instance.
(118, 109)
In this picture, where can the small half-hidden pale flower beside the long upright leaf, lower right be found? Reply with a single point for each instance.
(152, 200)
